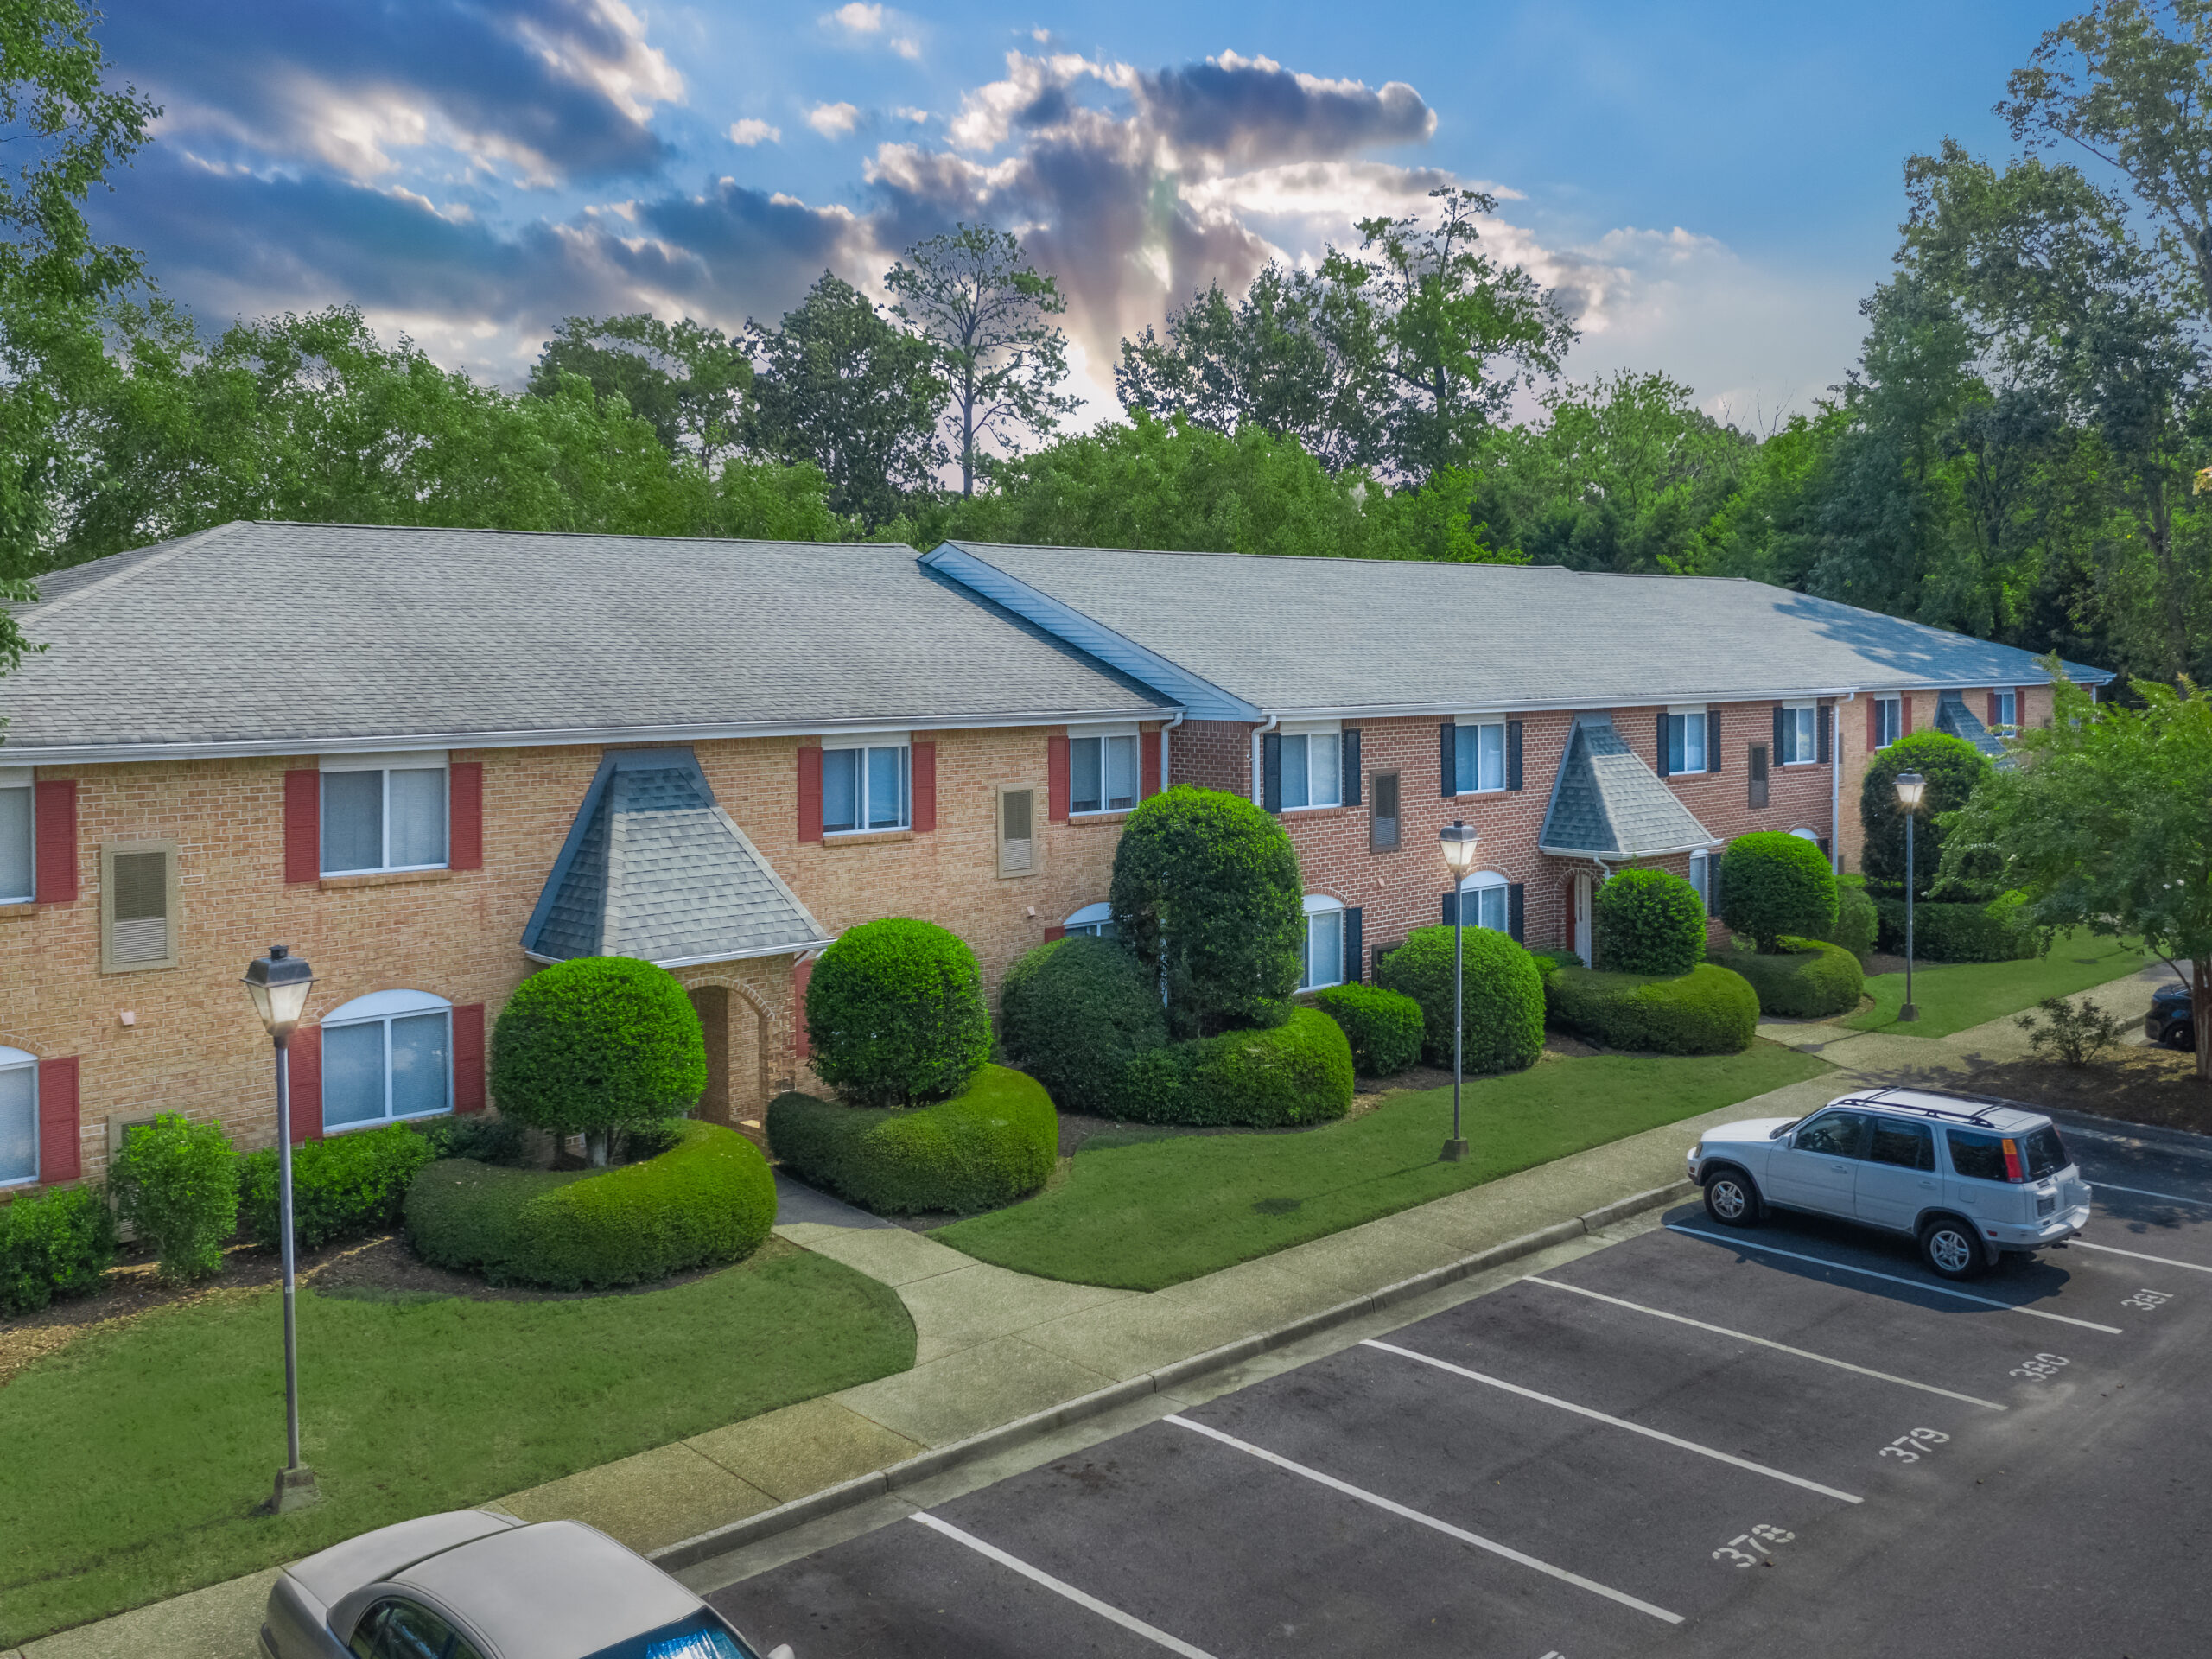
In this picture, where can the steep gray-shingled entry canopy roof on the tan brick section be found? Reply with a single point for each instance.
(656, 868)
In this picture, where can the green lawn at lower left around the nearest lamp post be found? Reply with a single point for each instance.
(138, 1454)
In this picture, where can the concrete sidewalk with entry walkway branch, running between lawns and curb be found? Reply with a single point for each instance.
(1008, 1350)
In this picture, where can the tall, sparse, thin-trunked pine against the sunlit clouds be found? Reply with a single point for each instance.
(974, 298)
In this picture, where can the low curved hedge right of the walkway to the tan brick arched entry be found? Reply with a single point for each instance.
(990, 1145)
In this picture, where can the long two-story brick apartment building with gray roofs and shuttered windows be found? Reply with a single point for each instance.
(437, 760)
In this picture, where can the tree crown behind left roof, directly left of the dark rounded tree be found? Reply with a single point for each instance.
(687, 379)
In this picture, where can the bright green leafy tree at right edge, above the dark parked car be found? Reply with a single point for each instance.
(2105, 826)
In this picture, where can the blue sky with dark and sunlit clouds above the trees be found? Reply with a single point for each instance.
(1711, 187)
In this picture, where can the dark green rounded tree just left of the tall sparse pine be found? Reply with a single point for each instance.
(844, 388)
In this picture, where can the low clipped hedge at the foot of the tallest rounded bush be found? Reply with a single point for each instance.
(1288, 1076)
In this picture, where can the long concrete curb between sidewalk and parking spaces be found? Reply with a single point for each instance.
(1087, 1406)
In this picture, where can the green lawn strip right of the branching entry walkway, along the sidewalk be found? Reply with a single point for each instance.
(1142, 1213)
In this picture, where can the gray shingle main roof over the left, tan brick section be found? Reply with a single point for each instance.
(282, 638)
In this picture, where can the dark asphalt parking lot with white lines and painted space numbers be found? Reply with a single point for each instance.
(1691, 1441)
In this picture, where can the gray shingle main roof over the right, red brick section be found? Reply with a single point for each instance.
(1342, 636)
